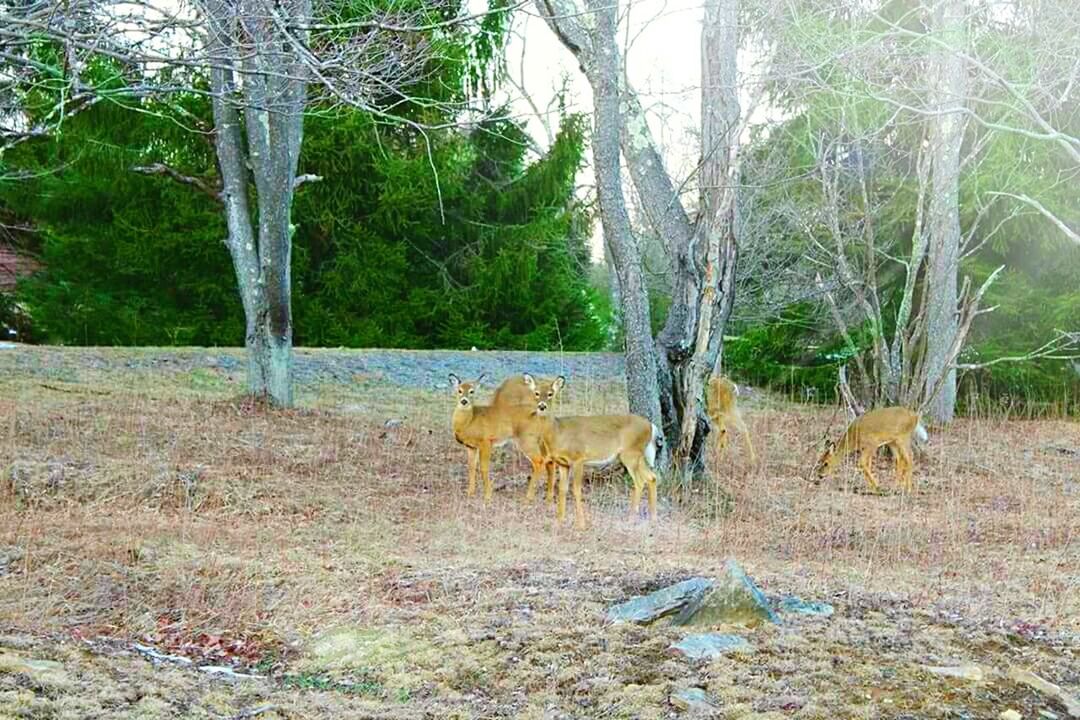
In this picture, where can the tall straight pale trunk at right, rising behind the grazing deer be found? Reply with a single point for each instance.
(949, 86)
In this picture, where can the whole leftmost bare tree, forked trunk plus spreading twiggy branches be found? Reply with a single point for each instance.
(265, 61)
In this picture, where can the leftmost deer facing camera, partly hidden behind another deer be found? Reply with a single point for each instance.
(481, 428)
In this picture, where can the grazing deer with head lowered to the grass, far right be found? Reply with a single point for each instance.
(894, 427)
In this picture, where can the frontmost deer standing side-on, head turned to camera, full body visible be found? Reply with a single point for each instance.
(575, 442)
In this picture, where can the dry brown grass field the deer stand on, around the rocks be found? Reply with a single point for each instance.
(334, 555)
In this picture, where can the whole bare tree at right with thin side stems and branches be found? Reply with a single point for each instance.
(919, 98)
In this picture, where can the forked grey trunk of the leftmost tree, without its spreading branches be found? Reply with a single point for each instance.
(259, 131)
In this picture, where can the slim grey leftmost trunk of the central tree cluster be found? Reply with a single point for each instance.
(605, 76)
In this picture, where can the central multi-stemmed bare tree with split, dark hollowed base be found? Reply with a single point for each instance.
(704, 253)
